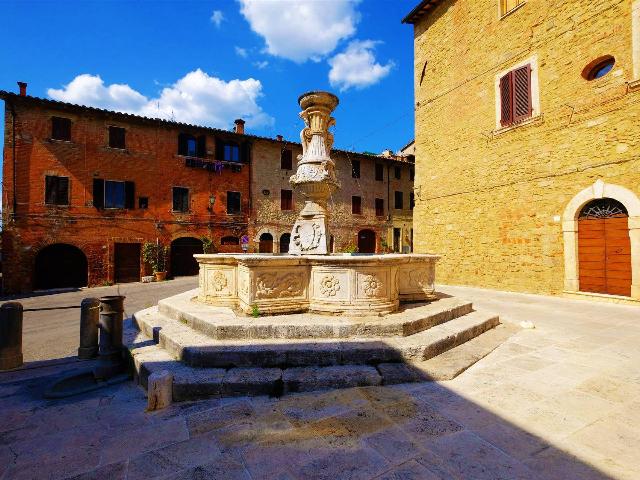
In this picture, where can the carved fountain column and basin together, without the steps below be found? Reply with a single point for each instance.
(308, 278)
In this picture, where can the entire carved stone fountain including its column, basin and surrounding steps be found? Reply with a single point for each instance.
(318, 320)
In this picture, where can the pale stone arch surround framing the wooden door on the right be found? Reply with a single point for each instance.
(596, 191)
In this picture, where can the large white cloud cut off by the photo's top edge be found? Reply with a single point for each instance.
(300, 30)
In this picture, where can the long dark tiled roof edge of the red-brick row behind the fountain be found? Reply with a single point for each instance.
(4, 95)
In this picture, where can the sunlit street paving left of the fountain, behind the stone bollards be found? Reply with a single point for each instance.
(50, 334)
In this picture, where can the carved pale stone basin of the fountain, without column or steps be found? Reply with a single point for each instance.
(332, 284)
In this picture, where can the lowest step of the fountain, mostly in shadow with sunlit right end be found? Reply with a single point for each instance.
(192, 383)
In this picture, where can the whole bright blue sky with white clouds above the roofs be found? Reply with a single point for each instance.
(208, 62)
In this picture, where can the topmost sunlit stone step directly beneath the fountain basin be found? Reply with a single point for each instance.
(222, 323)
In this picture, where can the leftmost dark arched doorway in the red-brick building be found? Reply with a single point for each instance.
(60, 266)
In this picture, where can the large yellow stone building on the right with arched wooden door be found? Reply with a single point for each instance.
(527, 119)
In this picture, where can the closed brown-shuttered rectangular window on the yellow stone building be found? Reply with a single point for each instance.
(515, 96)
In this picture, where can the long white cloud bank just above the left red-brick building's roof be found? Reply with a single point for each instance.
(195, 98)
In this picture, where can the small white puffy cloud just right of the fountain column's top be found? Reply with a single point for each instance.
(357, 67)
